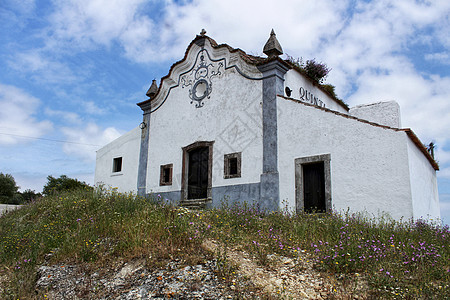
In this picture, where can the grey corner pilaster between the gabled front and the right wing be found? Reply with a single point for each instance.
(273, 84)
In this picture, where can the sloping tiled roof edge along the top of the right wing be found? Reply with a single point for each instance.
(408, 131)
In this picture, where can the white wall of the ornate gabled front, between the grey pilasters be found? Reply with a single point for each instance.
(231, 118)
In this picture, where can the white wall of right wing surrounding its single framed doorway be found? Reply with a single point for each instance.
(369, 166)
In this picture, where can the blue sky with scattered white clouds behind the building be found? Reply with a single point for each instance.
(73, 71)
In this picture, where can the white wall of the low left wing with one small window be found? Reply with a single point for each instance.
(127, 146)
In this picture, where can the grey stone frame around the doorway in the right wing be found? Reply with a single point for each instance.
(299, 188)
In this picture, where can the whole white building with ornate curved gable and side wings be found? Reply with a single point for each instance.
(224, 124)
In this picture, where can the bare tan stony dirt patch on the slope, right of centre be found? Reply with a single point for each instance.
(289, 278)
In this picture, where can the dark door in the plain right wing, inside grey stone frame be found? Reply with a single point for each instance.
(314, 187)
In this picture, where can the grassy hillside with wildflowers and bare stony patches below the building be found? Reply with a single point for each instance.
(106, 245)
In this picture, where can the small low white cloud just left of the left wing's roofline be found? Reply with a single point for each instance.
(88, 139)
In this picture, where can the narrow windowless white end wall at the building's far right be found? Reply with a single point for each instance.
(425, 196)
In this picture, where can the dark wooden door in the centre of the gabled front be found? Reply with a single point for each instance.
(198, 173)
